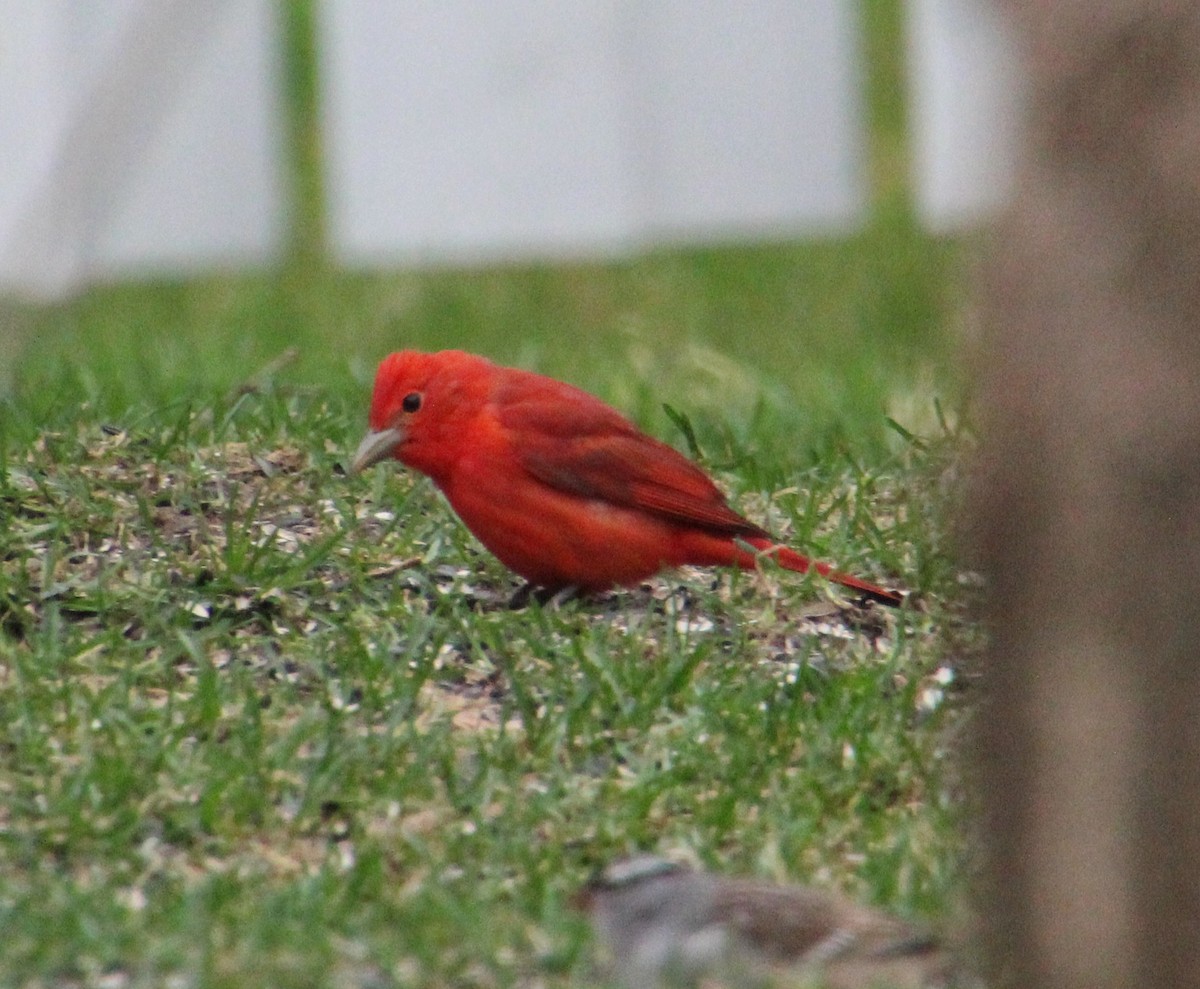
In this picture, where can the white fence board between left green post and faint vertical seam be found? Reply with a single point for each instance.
(469, 129)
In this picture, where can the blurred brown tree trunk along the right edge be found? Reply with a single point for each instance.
(1088, 506)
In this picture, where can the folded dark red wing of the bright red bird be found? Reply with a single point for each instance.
(589, 449)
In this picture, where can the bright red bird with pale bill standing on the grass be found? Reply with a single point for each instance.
(559, 485)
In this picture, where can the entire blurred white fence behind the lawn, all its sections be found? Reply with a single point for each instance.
(146, 136)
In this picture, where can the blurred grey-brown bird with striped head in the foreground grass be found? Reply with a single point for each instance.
(669, 926)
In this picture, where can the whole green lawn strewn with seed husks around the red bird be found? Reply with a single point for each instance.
(268, 724)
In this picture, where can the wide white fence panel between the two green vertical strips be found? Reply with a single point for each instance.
(471, 129)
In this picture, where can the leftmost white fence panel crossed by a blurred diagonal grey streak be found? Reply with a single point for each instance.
(136, 136)
